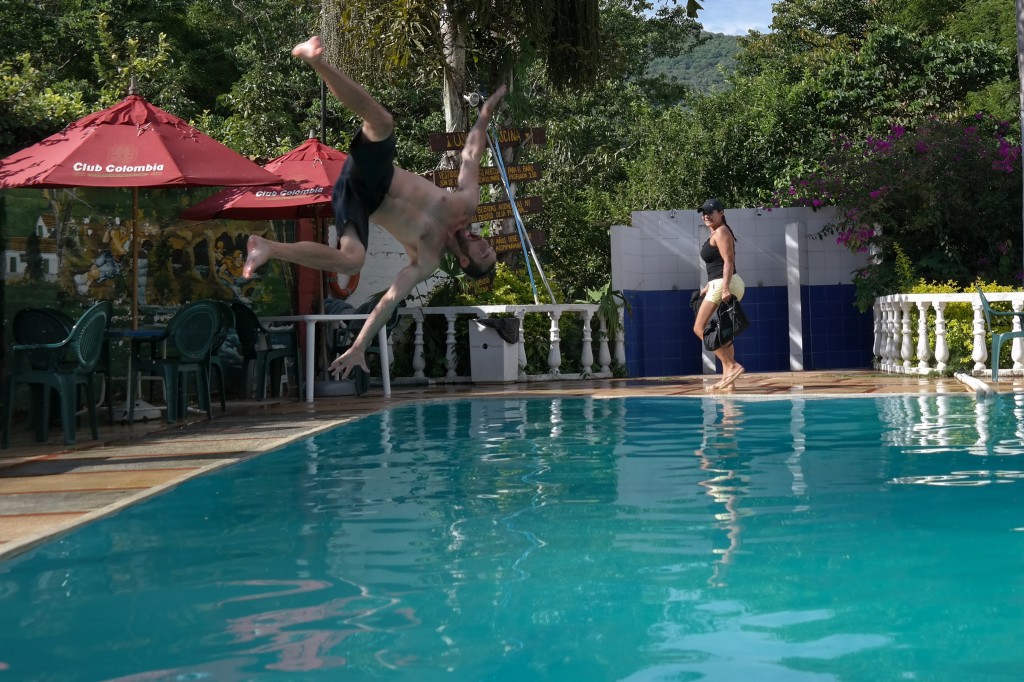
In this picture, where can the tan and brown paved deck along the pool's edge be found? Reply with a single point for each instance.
(49, 489)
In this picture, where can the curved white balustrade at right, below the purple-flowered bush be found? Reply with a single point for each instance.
(899, 342)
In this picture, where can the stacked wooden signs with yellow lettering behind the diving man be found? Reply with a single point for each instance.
(449, 178)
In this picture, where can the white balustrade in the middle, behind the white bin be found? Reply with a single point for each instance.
(587, 313)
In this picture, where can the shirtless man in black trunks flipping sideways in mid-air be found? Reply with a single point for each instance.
(425, 220)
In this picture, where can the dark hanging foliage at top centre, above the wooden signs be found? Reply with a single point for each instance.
(568, 37)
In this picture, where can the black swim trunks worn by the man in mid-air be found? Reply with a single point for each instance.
(364, 183)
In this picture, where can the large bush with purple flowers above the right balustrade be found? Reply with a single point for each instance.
(903, 202)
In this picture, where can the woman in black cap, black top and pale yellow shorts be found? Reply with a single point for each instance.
(719, 254)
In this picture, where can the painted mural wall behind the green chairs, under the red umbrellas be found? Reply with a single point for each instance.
(71, 248)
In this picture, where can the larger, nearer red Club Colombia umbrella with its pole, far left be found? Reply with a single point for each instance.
(132, 145)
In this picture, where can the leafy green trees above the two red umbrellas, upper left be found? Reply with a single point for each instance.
(68, 58)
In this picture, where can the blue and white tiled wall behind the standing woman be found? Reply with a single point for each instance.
(799, 293)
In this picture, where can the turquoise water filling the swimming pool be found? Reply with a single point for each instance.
(863, 539)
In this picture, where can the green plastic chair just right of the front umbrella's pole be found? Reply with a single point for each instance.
(188, 340)
